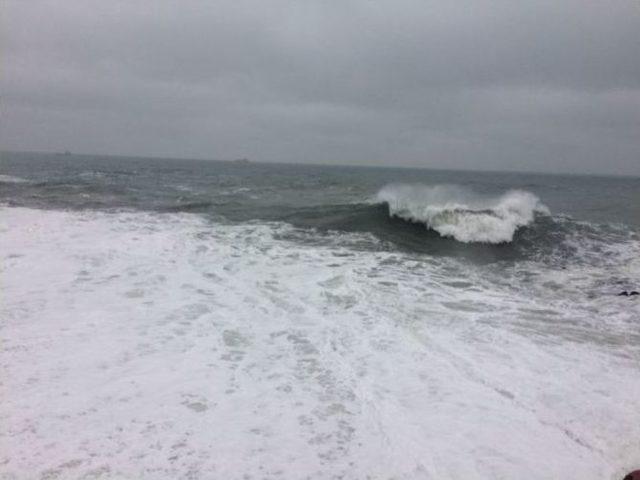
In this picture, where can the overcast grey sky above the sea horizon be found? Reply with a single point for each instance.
(520, 85)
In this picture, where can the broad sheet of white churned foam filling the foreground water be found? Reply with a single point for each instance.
(163, 346)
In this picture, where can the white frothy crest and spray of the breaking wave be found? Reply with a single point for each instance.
(456, 212)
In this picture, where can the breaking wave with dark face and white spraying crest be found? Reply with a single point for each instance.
(440, 218)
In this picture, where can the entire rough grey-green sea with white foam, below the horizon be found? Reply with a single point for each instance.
(175, 319)
